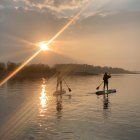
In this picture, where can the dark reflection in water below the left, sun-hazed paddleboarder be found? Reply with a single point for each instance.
(59, 106)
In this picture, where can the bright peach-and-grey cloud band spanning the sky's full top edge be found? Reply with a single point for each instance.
(68, 8)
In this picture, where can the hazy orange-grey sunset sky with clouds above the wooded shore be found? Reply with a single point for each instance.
(106, 32)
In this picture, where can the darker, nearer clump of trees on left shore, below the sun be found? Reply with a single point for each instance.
(29, 71)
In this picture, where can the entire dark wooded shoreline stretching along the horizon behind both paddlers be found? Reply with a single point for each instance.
(44, 70)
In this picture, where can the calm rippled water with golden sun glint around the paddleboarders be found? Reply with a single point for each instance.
(29, 111)
